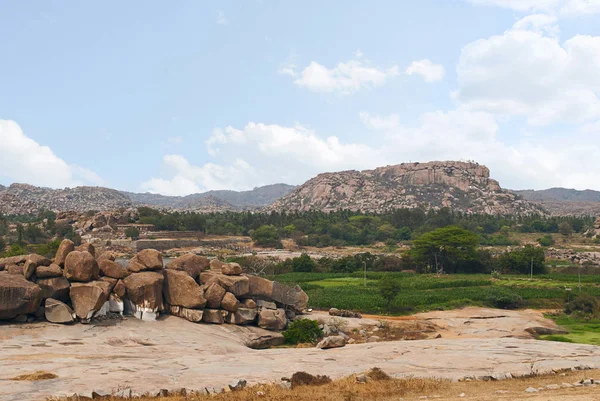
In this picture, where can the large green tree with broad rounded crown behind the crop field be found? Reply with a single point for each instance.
(445, 248)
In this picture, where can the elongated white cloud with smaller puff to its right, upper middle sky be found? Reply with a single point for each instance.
(345, 78)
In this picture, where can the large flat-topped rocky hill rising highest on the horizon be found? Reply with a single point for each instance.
(460, 186)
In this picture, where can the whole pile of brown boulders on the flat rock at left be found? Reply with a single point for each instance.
(78, 285)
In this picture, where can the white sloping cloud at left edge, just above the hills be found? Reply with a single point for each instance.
(25, 160)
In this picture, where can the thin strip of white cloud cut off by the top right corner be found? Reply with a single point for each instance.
(563, 7)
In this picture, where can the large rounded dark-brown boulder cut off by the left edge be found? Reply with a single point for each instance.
(18, 296)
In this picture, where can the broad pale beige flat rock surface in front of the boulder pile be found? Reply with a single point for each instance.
(173, 353)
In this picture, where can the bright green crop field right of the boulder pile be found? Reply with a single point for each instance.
(423, 292)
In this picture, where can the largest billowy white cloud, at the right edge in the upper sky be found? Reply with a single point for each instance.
(524, 72)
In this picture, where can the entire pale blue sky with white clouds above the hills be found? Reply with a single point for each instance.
(189, 96)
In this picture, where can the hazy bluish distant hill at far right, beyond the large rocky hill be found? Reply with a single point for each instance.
(564, 201)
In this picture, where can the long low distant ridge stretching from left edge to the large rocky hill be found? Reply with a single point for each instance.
(25, 199)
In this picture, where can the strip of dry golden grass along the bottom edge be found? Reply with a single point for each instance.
(380, 388)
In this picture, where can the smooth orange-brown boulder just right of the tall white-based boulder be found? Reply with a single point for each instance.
(180, 289)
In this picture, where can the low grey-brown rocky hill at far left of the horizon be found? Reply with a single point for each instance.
(25, 199)
